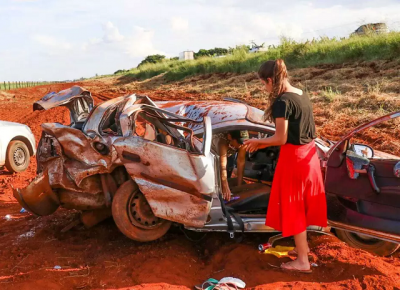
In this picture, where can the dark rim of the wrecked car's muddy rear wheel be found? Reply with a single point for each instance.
(140, 213)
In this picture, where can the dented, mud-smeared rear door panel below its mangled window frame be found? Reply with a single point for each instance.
(175, 182)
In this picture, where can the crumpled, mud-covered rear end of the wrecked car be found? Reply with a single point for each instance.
(73, 173)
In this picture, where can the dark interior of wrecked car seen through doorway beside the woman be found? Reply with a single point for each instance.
(253, 195)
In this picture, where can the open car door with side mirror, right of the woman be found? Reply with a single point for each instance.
(363, 192)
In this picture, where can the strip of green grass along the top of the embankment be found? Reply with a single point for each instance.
(322, 51)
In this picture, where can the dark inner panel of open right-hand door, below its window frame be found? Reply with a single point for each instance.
(368, 184)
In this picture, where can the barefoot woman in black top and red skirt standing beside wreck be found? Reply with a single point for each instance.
(297, 196)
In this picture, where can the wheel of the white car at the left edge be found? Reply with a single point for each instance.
(17, 156)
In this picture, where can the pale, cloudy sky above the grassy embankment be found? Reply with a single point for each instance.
(57, 40)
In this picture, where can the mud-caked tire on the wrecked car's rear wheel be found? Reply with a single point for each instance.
(127, 224)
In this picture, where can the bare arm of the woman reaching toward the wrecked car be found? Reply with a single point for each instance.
(278, 139)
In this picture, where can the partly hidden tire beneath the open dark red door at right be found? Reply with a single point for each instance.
(372, 245)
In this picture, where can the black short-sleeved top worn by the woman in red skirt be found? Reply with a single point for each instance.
(297, 109)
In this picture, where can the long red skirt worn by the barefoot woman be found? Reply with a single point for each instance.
(297, 197)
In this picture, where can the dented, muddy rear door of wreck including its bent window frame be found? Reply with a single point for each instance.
(177, 182)
